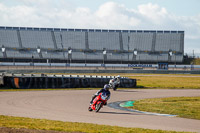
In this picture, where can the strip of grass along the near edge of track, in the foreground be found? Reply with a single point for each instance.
(42, 124)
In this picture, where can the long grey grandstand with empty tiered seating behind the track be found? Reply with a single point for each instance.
(24, 44)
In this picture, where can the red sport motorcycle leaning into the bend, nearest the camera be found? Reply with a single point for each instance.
(98, 102)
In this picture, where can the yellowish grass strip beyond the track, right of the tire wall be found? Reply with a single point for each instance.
(167, 81)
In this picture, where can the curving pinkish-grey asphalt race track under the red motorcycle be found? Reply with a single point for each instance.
(72, 105)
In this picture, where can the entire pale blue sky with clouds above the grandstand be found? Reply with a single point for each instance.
(105, 14)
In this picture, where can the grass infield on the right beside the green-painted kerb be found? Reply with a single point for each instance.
(186, 107)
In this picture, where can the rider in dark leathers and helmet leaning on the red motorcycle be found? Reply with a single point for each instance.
(105, 89)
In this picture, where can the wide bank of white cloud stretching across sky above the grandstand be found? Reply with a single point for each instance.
(110, 15)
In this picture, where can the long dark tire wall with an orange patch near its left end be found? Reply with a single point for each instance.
(62, 82)
